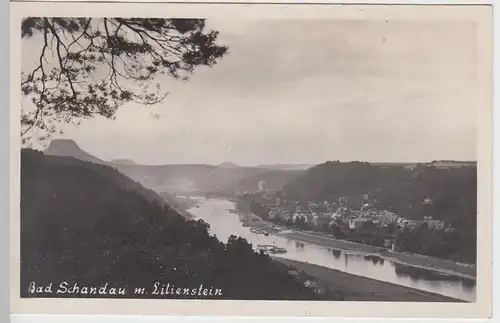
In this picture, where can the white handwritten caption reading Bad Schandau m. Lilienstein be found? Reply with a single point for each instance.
(158, 289)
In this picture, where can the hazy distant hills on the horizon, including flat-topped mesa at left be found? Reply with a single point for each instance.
(226, 176)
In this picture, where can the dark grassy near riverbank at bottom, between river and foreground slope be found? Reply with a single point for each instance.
(358, 288)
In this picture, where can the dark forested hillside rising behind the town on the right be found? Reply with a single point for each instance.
(445, 193)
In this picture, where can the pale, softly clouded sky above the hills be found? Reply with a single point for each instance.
(307, 92)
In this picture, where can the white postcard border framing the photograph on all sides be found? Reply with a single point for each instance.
(481, 309)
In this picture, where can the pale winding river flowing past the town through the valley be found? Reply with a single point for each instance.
(223, 223)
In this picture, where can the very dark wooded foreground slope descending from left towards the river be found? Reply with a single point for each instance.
(80, 224)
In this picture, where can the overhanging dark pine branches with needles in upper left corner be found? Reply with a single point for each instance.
(91, 66)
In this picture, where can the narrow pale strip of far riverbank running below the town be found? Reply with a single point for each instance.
(434, 264)
